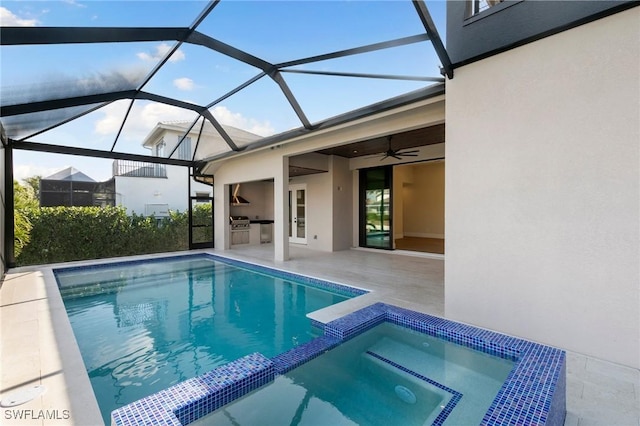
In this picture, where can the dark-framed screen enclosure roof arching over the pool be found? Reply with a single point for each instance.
(276, 69)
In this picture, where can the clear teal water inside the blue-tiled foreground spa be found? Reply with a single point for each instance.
(387, 375)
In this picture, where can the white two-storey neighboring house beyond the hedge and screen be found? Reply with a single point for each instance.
(155, 189)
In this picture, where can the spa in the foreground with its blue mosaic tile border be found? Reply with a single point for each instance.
(534, 391)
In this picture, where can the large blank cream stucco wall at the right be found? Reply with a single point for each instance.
(543, 191)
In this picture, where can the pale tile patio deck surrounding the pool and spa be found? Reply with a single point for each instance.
(38, 347)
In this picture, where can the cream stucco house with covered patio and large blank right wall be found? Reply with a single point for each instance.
(541, 186)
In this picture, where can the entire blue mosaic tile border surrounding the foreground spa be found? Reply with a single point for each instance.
(533, 393)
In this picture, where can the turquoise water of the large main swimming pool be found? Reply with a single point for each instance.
(145, 327)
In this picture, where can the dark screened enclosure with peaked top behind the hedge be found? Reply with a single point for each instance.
(70, 187)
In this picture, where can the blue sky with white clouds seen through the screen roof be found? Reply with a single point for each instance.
(276, 31)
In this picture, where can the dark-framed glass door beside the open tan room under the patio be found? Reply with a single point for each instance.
(375, 208)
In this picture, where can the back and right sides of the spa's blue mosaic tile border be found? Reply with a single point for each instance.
(533, 393)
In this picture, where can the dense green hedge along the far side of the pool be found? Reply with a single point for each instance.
(61, 234)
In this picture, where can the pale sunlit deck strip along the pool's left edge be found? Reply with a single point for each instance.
(69, 396)
